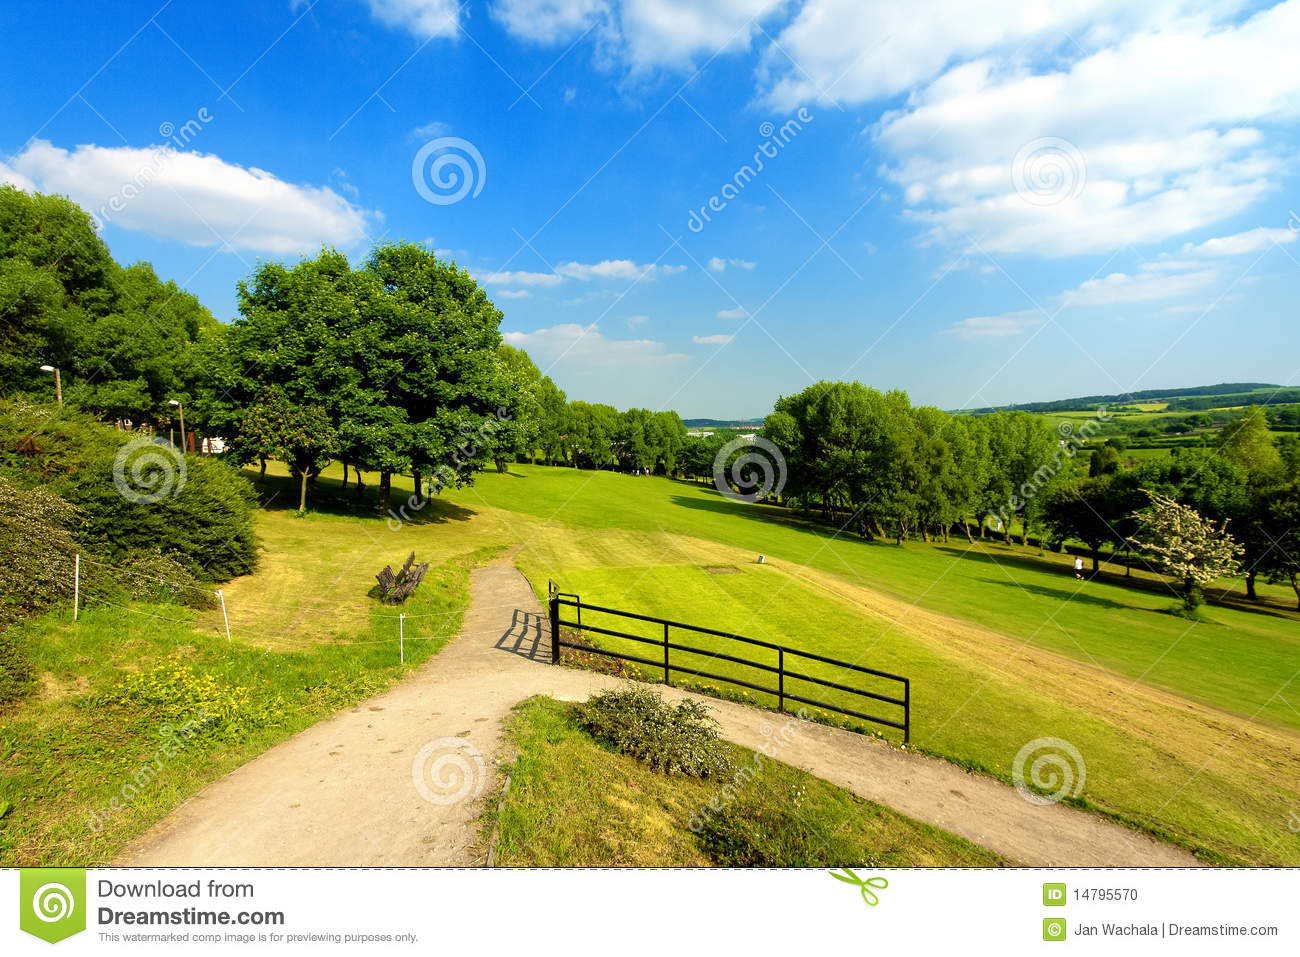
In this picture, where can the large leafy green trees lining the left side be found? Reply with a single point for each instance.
(393, 367)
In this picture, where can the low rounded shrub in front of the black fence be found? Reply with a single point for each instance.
(674, 739)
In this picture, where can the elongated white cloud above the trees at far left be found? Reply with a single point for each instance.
(194, 198)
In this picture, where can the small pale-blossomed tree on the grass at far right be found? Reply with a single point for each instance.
(1188, 547)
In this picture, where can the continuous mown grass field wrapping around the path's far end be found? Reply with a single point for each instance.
(1189, 731)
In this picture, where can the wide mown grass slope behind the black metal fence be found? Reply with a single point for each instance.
(1204, 777)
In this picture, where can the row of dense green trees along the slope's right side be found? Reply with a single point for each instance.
(872, 462)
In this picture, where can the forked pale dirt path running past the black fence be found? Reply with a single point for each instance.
(402, 778)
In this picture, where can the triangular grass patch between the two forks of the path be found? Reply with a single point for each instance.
(575, 803)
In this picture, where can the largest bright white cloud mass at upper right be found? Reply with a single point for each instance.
(1156, 133)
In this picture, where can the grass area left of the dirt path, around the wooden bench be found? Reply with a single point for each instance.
(307, 643)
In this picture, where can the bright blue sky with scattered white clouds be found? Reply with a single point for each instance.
(972, 205)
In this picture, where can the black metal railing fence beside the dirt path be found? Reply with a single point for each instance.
(777, 664)
